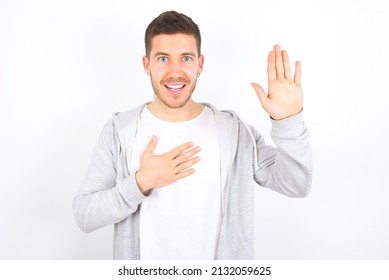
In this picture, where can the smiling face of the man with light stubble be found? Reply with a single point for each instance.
(173, 66)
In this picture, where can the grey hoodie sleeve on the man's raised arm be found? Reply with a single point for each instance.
(286, 169)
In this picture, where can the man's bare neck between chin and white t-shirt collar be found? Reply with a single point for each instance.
(188, 112)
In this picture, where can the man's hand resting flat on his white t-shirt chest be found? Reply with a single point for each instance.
(156, 171)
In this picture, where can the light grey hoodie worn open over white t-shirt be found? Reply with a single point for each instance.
(109, 193)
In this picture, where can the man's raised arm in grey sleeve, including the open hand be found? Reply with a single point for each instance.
(287, 169)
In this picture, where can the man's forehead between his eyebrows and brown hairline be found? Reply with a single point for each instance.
(173, 44)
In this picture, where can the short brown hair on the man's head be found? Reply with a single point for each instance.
(171, 22)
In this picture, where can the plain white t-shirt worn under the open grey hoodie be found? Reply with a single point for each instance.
(181, 220)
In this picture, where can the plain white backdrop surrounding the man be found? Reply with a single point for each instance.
(65, 66)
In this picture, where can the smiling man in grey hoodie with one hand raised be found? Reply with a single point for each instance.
(176, 177)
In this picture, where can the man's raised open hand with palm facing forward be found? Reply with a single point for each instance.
(285, 96)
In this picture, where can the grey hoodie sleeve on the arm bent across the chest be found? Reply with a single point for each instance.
(102, 198)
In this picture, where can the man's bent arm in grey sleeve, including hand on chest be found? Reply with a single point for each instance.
(103, 199)
